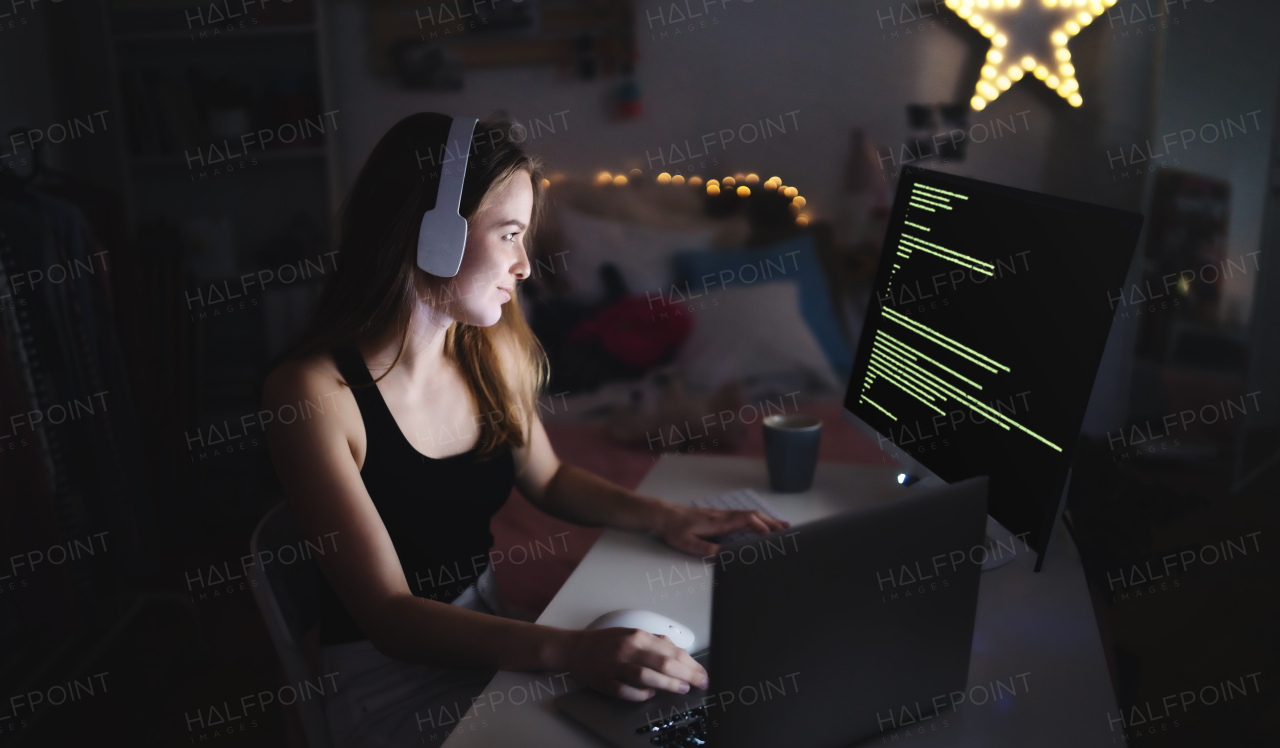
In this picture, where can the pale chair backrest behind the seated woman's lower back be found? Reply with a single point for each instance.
(289, 598)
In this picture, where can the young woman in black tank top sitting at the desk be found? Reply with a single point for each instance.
(395, 352)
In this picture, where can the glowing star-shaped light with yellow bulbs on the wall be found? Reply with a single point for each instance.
(1017, 51)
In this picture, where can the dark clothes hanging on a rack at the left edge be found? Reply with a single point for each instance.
(71, 468)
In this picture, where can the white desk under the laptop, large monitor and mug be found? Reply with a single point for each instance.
(1040, 626)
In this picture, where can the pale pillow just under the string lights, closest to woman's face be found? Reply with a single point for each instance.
(643, 256)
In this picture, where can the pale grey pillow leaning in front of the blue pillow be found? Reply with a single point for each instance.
(755, 332)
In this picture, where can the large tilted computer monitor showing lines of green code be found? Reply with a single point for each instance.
(982, 340)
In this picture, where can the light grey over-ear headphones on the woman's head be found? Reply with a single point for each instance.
(444, 235)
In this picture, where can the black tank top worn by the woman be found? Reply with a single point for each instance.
(437, 512)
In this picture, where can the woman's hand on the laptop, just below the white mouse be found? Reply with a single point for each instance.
(632, 664)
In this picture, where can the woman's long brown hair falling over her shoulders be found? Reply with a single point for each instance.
(372, 294)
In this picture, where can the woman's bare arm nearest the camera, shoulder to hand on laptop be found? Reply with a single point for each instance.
(323, 487)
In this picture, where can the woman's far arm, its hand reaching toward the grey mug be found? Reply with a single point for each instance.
(582, 498)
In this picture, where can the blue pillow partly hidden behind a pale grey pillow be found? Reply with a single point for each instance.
(796, 259)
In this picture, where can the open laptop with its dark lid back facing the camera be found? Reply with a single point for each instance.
(865, 615)
